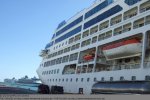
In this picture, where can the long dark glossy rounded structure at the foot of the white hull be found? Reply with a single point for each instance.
(138, 87)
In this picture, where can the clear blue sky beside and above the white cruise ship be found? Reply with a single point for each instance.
(26, 26)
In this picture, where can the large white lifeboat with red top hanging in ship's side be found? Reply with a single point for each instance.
(123, 49)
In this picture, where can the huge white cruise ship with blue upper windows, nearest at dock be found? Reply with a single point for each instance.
(103, 48)
